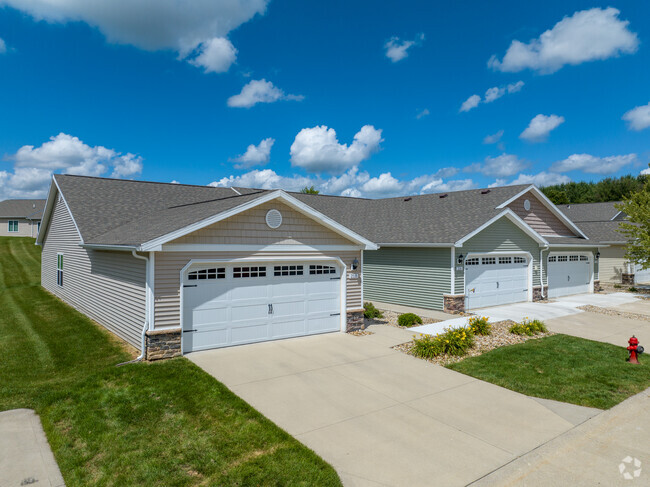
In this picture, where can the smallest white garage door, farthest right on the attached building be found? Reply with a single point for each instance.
(568, 274)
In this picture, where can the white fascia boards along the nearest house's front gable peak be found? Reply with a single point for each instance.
(280, 195)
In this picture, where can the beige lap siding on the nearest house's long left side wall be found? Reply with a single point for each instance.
(109, 287)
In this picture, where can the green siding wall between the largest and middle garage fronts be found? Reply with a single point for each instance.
(407, 276)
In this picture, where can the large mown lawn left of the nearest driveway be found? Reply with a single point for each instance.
(163, 423)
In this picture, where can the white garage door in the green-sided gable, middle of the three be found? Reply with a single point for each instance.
(490, 281)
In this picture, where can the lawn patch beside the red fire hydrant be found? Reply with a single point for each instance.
(563, 368)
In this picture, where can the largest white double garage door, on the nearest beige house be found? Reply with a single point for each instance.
(226, 305)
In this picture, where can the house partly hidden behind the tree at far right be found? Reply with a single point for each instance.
(600, 221)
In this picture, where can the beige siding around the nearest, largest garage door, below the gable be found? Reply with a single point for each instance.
(168, 267)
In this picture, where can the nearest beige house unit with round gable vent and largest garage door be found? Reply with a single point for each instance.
(197, 267)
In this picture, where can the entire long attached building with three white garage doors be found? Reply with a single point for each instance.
(176, 268)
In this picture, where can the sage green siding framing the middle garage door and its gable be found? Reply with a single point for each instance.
(501, 236)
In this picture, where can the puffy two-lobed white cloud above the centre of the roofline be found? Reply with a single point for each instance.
(317, 149)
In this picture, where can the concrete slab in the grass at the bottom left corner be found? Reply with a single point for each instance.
(25, 454)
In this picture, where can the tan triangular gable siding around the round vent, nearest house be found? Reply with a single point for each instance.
(250, 228)
